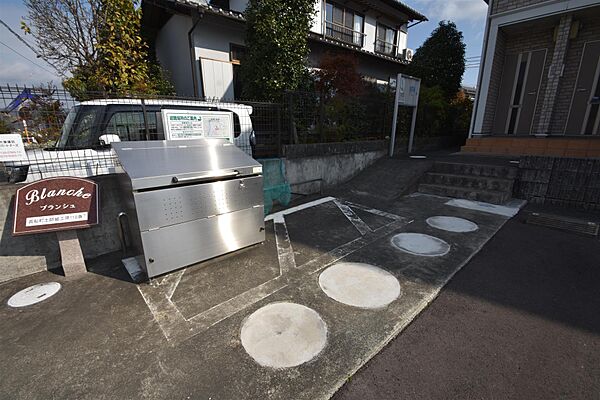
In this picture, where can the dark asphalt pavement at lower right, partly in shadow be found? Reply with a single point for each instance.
(520, 321)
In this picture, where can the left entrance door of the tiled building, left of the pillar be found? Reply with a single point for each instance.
(519, 90)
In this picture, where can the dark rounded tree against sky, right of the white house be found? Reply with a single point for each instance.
(440, 61)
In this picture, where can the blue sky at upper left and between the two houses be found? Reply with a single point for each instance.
(469, 16)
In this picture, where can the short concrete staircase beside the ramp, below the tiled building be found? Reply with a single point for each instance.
(481, 182)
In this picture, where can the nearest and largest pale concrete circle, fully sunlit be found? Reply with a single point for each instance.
(283, 335)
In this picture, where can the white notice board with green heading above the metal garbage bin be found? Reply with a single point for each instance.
(190, 124)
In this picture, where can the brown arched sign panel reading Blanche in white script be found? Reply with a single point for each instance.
(55, 204)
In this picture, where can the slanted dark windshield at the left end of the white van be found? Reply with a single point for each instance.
(79, 128)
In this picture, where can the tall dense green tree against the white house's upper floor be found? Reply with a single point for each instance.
(277, 38)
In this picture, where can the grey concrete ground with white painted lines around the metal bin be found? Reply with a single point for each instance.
(275, 321)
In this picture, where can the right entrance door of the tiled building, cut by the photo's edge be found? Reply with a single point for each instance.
(584, 115)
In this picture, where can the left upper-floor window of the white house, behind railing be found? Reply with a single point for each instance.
(344, 24)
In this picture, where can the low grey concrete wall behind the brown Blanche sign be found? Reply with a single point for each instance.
(23, 255)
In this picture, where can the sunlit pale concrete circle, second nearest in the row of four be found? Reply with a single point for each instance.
(359, 285)
